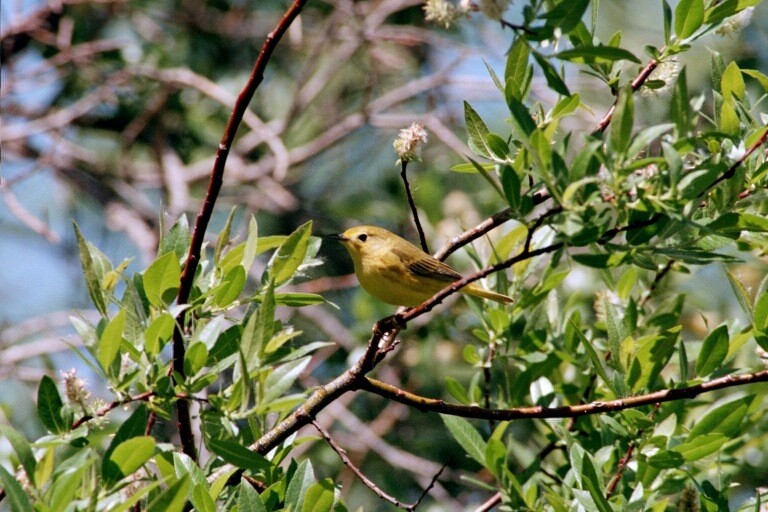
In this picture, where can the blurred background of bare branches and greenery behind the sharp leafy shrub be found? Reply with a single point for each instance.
(112, 112)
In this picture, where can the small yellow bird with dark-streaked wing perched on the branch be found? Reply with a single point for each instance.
(396, 271)
